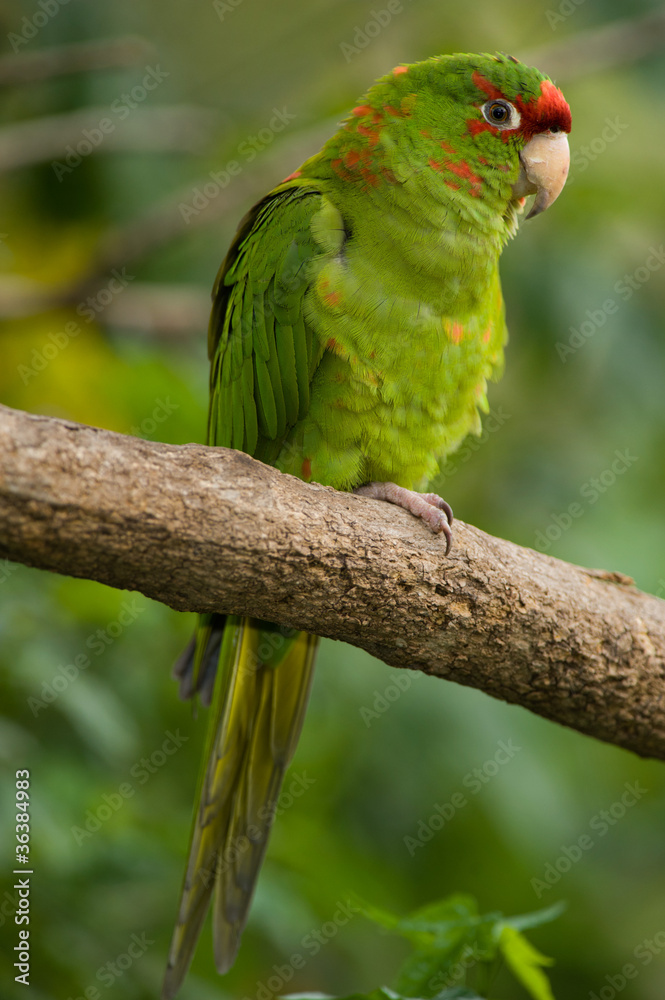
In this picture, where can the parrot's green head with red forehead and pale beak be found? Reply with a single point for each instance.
(485, 127)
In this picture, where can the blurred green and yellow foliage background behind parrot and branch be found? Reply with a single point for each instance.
(135, 362)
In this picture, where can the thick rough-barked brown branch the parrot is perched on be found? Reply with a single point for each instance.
(205, 529)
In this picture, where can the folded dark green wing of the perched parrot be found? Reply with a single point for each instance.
(263, 352)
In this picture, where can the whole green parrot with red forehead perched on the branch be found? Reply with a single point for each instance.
(356, 319)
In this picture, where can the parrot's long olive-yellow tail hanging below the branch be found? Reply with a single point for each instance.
(259, 697)
